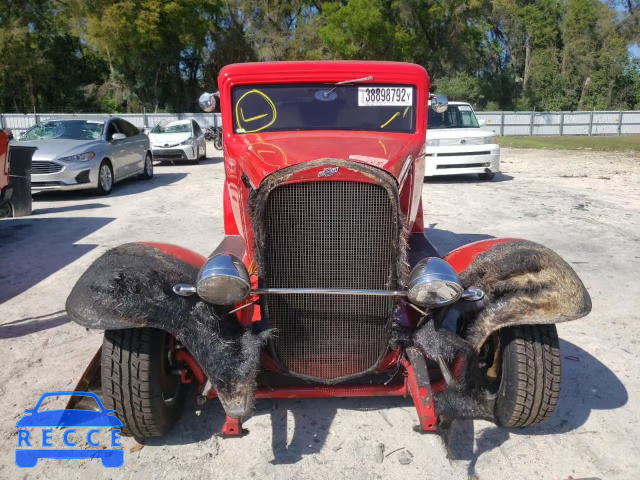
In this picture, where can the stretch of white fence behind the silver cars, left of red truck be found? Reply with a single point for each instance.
(19, 122)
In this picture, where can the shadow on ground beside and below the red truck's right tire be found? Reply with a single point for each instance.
(587, 385)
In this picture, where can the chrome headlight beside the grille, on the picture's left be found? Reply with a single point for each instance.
(223, 280)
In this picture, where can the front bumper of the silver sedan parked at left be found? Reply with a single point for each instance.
(47, 175)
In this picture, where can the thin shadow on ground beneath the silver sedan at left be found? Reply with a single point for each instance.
(130, 186)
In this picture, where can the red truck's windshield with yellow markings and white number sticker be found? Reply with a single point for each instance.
(271, 108)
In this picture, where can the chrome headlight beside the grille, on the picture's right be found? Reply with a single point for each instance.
(433, 283)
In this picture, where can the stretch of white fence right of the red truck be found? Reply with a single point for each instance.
(562, 123)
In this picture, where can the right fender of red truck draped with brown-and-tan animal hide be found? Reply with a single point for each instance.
(524, 283)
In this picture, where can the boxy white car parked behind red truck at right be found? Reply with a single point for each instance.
(456, 144)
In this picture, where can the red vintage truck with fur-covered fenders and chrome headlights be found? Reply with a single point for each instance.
(325, 284)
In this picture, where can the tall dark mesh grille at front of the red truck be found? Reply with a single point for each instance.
(329, 234)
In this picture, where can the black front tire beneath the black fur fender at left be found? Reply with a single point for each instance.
(137, 381)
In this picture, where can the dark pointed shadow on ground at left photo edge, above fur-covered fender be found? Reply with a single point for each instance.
(32, 249)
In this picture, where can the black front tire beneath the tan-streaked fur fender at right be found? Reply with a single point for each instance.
(530, 380)
